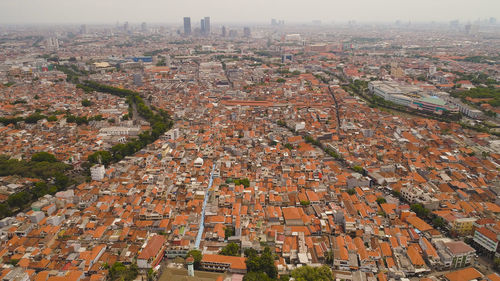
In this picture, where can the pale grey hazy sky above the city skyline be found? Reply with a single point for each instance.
(172, 11)
